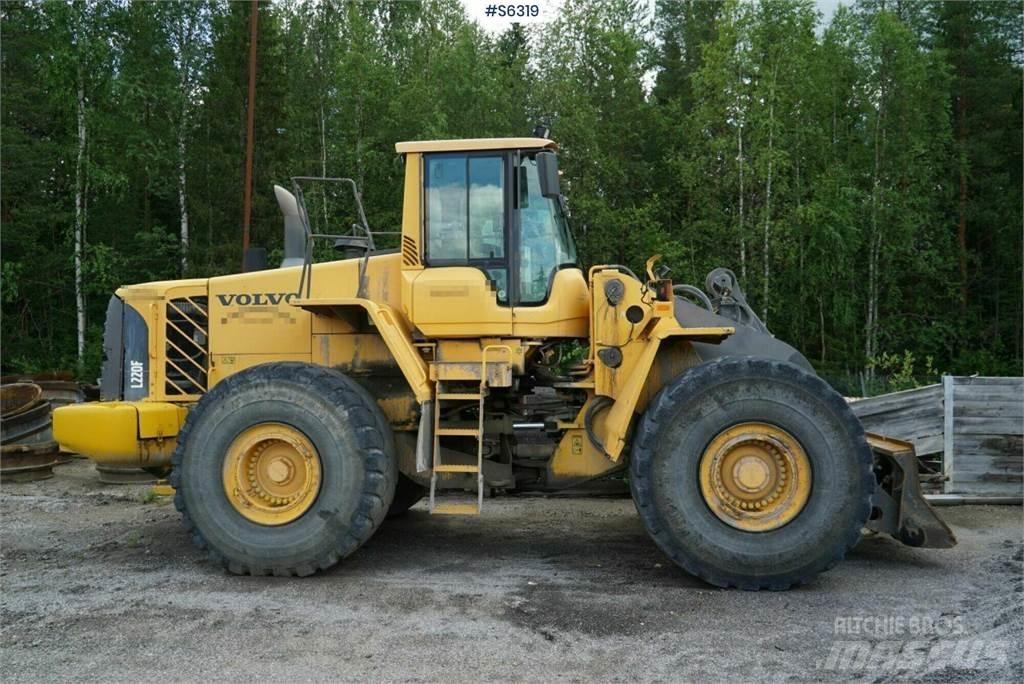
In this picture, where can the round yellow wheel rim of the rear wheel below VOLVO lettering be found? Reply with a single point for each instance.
(272, 474)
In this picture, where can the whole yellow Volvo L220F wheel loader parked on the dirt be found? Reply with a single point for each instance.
(296, 408)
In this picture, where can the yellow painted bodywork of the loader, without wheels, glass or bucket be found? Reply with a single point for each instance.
(414, 324)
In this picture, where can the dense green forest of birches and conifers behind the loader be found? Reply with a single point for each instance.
(863, 178)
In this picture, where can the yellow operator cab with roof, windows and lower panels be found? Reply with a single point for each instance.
(486, 242)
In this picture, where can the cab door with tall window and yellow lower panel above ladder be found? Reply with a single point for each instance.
(464, 289)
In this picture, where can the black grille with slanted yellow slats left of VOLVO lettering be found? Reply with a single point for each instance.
(187, 350)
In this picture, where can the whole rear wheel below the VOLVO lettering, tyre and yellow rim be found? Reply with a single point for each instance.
(284, 469)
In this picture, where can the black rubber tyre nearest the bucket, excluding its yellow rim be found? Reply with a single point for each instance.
(682, 421)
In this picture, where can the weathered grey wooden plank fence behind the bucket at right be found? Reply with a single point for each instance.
(970, 430)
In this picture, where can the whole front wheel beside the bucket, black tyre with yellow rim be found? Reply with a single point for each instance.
(752, 474)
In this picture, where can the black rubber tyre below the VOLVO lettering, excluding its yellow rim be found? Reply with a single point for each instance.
(358, 462)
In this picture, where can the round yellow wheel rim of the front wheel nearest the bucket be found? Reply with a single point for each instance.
(755, 478)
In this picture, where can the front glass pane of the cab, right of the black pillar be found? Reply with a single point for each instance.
(545, 240)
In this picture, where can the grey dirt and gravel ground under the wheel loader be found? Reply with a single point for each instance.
(102, 583)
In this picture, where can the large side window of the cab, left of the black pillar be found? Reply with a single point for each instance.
(465, 215)
